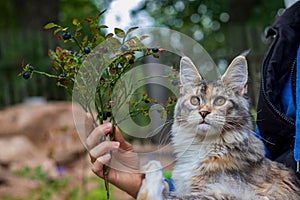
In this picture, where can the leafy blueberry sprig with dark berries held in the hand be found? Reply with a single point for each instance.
(68, 61)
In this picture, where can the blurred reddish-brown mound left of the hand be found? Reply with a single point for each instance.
(50, 128)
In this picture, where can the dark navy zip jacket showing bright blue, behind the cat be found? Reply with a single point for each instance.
(277, 104)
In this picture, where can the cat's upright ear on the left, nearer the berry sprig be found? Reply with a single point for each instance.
(188, 72)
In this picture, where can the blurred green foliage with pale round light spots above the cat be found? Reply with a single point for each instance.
(208, 21)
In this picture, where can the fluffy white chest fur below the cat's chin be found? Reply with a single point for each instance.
(190, 151)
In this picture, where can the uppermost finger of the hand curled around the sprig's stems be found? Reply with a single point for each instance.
(94, 138)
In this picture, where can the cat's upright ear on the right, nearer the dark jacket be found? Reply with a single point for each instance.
(236, 75)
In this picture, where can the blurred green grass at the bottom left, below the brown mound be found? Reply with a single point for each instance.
(61, 188)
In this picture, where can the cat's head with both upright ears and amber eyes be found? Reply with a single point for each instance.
(208, 108)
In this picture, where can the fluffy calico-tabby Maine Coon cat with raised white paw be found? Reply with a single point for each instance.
(218, 157)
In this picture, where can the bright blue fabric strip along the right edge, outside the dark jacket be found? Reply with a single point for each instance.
(297, 135)
